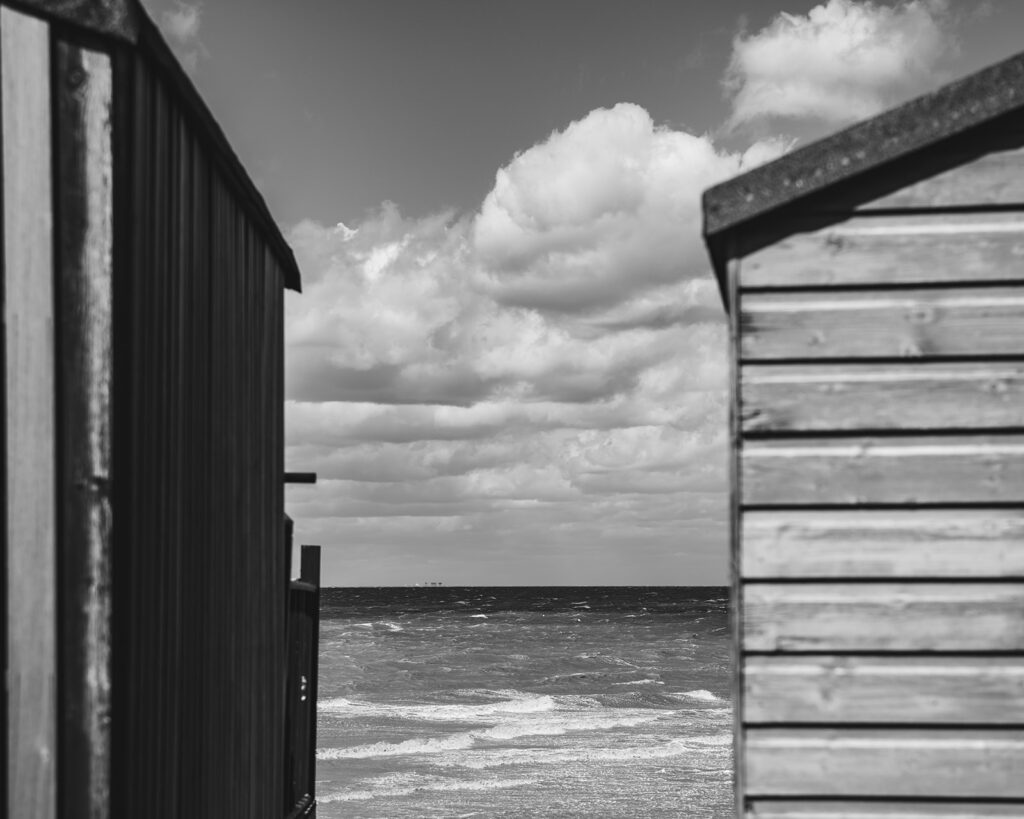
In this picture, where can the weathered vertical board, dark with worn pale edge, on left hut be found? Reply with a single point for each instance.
(83, 81)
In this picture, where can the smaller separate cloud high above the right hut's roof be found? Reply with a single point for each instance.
(842, 62)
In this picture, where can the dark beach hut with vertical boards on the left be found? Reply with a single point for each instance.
(147, 594)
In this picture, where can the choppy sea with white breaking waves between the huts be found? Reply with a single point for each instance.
(565, 703)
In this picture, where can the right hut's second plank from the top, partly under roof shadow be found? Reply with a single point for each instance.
(879, 250)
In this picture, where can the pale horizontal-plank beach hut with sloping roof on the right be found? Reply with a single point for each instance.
(875, 283)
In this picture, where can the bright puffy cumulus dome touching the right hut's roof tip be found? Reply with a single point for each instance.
(600, 213)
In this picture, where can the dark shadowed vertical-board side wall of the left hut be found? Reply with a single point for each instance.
(200, 573)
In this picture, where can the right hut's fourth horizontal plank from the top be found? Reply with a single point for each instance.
(858, 397)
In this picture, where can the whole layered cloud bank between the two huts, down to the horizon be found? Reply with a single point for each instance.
(550, 370)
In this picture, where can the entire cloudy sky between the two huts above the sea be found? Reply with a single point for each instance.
(508, 365)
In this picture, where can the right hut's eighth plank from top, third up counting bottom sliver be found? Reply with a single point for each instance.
(908, 691)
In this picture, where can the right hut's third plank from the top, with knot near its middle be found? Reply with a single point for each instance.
(890, 324)
